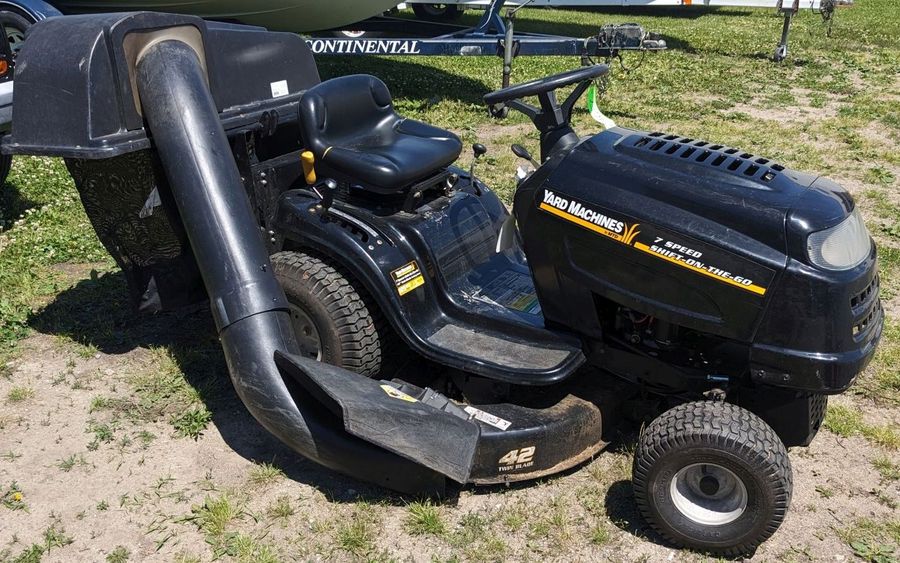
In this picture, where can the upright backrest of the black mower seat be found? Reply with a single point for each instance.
(335, 111)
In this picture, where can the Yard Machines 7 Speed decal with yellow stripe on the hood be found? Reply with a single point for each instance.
(655, 242)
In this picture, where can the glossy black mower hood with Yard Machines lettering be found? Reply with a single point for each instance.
(706, 237)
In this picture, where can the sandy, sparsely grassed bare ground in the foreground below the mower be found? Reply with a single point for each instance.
(154, 494)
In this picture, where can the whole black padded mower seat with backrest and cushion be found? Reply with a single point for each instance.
(350, 125)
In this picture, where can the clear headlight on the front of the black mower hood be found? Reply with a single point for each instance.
(841, 247)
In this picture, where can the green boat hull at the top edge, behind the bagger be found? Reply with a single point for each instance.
(277, 15)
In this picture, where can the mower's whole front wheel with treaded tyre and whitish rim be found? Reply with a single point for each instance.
(712, 476)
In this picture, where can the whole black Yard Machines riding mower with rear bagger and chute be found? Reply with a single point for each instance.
(327, 232)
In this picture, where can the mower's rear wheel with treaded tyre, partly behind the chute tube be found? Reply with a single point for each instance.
(334, 321)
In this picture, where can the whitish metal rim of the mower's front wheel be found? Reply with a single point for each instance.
(708, 494)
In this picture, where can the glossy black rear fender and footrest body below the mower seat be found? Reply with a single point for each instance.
(398, 266)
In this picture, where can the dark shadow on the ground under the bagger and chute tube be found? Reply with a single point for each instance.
(97, 312)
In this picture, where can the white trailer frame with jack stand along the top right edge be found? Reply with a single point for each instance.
(449, 11)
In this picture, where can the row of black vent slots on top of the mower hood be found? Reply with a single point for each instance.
(727, 159)
